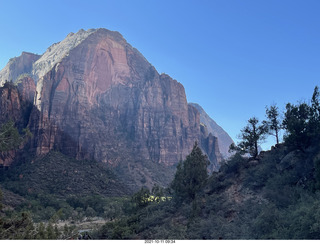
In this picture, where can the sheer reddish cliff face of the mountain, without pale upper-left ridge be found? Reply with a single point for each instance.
(105, 101)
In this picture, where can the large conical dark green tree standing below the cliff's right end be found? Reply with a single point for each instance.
(191, 175)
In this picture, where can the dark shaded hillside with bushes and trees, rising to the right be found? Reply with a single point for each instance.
(273, 195)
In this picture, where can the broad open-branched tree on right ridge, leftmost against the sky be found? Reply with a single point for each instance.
(251, 136)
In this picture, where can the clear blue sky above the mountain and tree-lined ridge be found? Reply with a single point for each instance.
(233, 57)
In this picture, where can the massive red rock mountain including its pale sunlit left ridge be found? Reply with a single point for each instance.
(96, 97)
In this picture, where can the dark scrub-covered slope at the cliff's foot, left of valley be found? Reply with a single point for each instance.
(60, 175)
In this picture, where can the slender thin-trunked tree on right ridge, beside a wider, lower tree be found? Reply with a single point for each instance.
(273, 124)
